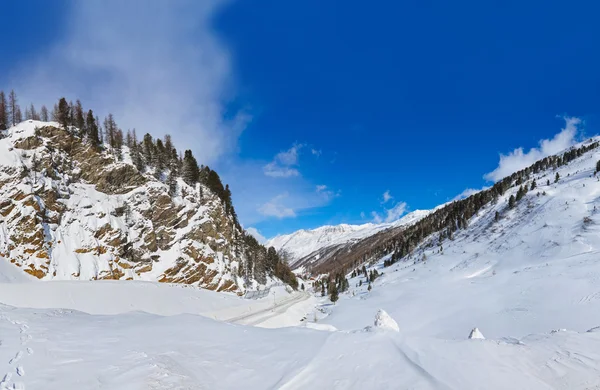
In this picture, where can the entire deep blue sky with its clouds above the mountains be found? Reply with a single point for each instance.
(313, 110)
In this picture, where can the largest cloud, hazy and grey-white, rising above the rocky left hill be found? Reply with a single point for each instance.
(158, 67)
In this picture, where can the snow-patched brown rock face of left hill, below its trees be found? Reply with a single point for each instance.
(69, 211)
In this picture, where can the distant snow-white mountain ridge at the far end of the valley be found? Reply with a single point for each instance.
(304, 242)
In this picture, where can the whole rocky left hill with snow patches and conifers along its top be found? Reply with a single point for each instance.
(159, 214)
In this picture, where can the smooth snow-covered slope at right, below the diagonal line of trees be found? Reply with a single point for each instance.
(534, 269)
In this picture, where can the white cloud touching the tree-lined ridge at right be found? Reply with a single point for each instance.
(517, 159)
